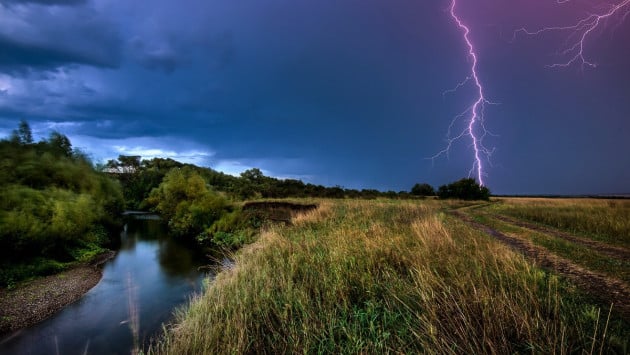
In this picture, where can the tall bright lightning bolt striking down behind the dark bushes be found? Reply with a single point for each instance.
(473, 115)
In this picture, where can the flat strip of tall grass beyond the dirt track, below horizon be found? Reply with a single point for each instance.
(605, 220)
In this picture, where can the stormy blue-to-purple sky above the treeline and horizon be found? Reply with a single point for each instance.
(351, 93)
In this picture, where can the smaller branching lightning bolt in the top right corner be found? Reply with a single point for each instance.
(578, 33)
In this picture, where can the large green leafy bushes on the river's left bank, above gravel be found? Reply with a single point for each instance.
(53, 205)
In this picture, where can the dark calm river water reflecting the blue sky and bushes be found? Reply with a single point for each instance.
(151, 275)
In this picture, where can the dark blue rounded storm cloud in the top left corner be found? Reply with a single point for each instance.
(35, 39)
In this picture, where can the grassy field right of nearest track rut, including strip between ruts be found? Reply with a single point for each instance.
(550, 220)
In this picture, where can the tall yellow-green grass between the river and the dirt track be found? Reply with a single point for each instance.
(388, 276)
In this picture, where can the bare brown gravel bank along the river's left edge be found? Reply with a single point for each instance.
(33, 301)
